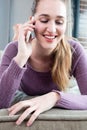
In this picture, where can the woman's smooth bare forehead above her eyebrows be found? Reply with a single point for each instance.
(51, 7)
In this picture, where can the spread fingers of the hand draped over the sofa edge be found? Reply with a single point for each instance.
(31, 108)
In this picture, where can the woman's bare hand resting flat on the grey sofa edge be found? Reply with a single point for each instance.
(36, 105)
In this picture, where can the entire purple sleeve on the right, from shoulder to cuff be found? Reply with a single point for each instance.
(79, 71)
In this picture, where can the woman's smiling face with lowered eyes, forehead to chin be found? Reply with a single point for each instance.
(50, 23)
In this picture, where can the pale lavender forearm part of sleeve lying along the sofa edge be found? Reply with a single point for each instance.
(72, 101)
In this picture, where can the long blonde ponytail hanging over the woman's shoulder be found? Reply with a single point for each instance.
(62, 64)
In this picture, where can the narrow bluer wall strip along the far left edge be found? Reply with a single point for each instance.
(4, 22)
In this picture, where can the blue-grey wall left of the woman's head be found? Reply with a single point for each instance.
(12, 12)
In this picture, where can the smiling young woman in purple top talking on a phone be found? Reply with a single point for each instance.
(43, 65)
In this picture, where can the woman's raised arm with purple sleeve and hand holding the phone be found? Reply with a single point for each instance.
(12, 65)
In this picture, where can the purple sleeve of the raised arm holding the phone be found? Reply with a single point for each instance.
(10, 76)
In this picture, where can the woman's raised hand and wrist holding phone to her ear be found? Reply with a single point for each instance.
(24, 47)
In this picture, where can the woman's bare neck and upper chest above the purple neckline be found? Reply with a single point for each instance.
(40, 60)
